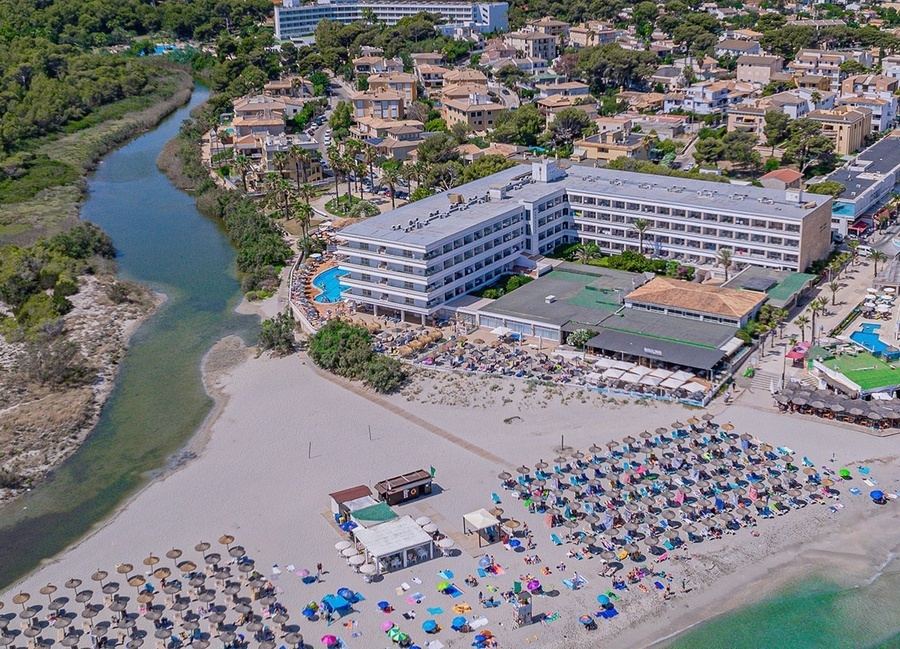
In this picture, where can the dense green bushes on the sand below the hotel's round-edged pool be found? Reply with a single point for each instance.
(346, 350)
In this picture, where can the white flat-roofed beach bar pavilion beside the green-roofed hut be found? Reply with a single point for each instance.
(395, 544)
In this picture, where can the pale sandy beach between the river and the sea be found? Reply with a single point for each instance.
(285, 435)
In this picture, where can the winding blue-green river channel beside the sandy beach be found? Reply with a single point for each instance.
(158, 400)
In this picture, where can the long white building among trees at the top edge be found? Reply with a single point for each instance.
(295, 19)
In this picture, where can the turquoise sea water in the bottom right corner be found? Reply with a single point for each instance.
(811, 613)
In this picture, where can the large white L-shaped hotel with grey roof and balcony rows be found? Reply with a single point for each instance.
(415, 259)
